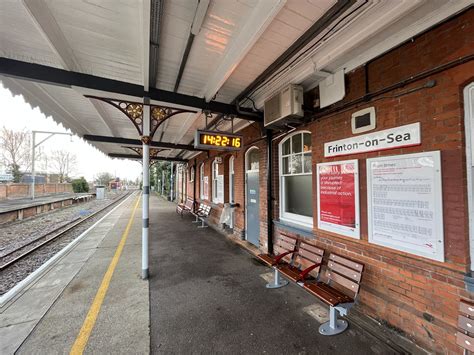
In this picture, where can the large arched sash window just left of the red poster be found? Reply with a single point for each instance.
(296, 182)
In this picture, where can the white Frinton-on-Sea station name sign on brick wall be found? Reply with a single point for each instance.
(399, 137)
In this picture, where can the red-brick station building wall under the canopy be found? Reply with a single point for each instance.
(415, 295)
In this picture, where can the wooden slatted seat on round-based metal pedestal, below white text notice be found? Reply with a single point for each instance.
(339, 292)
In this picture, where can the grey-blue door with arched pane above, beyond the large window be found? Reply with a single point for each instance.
(252, 200)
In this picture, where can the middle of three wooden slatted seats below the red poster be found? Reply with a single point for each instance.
(307, 263)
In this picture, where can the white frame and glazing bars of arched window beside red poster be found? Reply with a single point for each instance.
(304, 221)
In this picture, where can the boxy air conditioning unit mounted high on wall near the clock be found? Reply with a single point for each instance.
(284, 107)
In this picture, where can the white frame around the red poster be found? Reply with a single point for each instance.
(334, 228)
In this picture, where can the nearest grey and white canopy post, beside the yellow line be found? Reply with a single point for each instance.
(146, 189)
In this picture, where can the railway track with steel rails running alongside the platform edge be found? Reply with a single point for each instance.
(51, 236)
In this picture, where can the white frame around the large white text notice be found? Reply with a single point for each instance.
(438, 204)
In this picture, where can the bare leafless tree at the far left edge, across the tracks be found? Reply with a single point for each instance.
(15, 149)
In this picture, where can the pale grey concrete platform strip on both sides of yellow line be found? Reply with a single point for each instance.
(48, 316)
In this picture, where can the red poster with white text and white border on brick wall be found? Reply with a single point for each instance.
(338, 197)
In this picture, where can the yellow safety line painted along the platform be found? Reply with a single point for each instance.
(86, 330)
